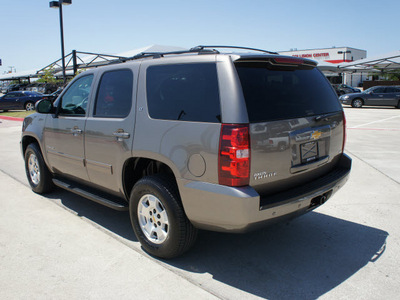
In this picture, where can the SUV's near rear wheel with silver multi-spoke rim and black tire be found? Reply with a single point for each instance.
(158, 218)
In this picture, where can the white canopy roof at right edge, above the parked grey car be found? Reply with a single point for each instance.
(385, 62)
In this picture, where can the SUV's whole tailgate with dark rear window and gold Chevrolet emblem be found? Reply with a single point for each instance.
(296, 123)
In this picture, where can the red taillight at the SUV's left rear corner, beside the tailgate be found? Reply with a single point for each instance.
(234, 155)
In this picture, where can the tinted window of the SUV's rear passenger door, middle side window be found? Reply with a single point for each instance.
(114, 95)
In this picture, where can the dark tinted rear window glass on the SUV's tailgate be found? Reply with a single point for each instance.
(278, 93)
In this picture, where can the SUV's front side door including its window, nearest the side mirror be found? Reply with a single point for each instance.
(64, 132)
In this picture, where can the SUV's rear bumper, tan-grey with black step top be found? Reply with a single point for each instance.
(221, 208)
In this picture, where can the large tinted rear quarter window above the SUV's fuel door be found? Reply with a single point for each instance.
(187, 92)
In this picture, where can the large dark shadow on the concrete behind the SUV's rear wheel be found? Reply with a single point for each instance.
(303, 259)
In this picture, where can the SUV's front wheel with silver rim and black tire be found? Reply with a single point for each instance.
(39, 176)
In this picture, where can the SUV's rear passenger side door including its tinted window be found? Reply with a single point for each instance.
(109, 128)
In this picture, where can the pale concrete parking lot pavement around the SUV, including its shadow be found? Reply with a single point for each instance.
(63, 246)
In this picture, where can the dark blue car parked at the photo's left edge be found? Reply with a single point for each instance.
(19, 100)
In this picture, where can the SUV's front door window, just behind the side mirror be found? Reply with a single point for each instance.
(74, 101)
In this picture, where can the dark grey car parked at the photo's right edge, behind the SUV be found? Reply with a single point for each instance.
(377, 95)
